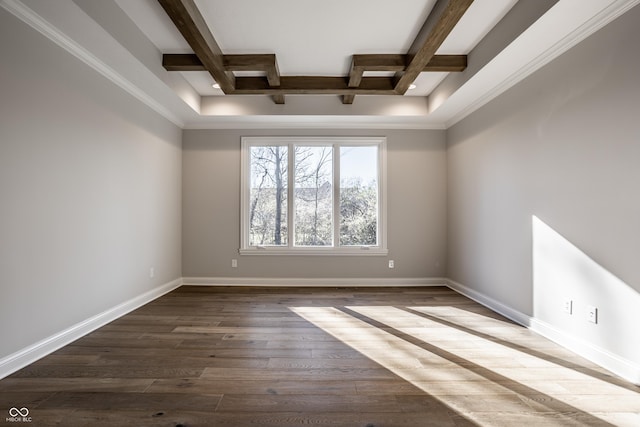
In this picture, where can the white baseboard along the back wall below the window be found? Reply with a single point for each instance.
(319, 282)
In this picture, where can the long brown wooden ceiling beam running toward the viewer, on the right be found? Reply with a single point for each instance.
(442, 19)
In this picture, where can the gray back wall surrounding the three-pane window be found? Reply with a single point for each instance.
(416, 210)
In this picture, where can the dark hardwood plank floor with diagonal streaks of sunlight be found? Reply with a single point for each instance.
(204, 356)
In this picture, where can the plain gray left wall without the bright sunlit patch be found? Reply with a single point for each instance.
(90, 184)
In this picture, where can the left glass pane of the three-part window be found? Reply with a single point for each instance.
(268, 196)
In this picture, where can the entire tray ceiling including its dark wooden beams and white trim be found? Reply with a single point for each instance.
(316, 63)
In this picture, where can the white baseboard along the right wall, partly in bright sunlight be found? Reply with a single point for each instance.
(620, 366)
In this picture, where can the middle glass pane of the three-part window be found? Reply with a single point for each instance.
(313, 196)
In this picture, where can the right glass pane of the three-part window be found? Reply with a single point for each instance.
(359, 196)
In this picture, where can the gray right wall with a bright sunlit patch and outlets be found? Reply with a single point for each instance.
(563, 146)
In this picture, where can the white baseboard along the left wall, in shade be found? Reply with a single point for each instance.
(18, 360)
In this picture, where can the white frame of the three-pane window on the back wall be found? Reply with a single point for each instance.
(290, 249)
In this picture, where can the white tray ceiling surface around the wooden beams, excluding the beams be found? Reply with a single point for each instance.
(506, 40)
